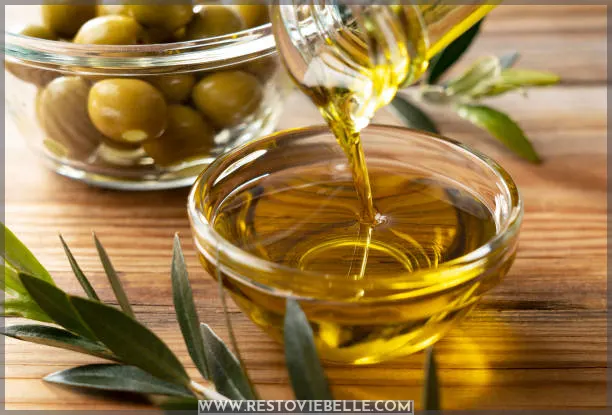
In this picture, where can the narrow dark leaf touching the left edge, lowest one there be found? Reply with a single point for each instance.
(56, 337)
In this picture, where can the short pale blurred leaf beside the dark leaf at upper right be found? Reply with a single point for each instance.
(479, 77)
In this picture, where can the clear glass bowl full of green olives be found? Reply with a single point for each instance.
(140, 96)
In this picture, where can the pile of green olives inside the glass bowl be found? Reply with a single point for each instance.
(171, 117)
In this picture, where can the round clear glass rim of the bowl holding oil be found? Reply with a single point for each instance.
(202, 228)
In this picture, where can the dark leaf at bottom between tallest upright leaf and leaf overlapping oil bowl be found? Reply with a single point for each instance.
(227, 373)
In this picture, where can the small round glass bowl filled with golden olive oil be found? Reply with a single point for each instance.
(281, 218)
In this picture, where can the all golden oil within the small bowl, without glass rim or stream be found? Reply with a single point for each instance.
(308, 218)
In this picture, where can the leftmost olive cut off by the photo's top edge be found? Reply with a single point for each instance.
(66, 19)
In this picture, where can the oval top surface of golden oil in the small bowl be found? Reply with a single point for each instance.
(308, 218)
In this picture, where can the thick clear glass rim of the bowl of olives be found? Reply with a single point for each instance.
(205, 54)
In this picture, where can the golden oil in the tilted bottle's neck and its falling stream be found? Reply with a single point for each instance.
(378, 65)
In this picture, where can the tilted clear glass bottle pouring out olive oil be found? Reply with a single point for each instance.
(352, 58)
